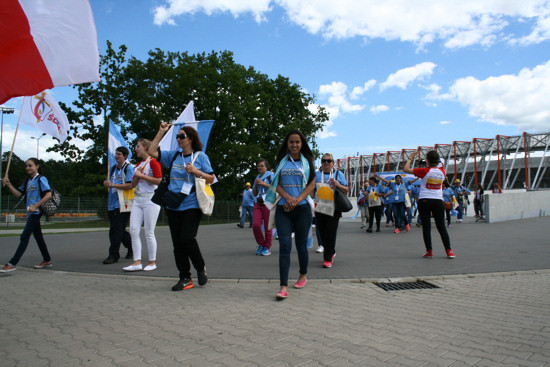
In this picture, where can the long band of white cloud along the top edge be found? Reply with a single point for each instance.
(457, 23)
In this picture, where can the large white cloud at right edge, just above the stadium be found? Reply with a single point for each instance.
(518, 100)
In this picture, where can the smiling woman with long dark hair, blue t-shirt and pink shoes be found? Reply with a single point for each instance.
(294, 181)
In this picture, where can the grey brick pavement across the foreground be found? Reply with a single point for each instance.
(53, 318)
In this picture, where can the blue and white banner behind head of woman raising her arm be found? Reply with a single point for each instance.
(187, 118)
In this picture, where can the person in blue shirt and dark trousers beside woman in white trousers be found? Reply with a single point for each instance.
(121, 175)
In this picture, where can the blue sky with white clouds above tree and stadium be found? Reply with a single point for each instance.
(392, 74)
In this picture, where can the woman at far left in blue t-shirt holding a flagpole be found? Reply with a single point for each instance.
(37, 191)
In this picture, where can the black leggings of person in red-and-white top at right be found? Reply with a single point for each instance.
(427, 208)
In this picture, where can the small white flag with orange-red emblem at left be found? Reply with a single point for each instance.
(42, 112)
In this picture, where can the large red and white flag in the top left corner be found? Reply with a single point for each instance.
(45, 44)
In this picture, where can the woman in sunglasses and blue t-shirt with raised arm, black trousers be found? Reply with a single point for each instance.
(183, 211)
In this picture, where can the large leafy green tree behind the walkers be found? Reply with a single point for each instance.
(252, 112)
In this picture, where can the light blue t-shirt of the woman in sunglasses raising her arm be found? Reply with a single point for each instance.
(179, 177)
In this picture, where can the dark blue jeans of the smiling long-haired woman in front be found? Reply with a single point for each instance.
(298, 220)
